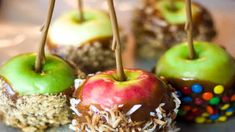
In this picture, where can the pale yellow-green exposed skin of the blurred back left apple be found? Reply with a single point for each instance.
(68, 30)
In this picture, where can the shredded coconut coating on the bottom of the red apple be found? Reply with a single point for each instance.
(114, 120)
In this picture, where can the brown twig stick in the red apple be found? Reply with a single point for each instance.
(113, 17)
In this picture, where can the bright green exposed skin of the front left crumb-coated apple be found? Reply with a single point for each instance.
(56, 76)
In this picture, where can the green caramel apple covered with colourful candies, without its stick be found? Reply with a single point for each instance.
(205, 85)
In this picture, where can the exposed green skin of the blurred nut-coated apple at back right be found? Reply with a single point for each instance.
(177, 16)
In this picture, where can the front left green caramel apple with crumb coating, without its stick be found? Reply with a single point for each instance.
(35, 101)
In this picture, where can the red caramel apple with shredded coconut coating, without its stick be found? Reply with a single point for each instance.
(141, 103)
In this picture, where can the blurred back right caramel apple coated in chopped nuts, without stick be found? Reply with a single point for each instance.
(157, 29)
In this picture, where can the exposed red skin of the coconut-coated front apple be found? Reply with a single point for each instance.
(105, 91)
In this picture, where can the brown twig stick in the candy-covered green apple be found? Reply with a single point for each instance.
(189, 29)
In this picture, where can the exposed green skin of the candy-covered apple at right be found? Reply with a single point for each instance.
(212, 64)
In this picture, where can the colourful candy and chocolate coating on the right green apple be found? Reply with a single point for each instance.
(204, 105)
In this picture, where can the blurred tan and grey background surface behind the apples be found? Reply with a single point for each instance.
(21, 20)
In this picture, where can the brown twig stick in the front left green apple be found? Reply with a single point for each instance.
(41, 52)
